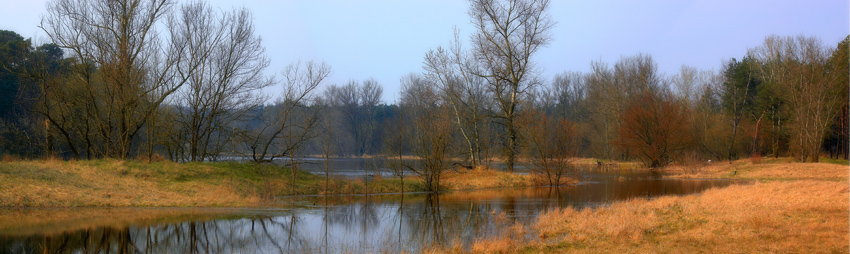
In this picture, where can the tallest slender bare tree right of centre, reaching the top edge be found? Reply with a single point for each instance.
(508, 35)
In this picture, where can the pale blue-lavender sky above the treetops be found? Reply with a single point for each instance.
(388, 39)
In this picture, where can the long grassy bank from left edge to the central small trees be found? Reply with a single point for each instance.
(130, 183)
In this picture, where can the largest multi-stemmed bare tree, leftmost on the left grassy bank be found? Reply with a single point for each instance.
(125, 68)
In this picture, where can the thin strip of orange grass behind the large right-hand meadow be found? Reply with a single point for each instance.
(746, 169)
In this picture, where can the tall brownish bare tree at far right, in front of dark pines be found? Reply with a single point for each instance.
(799, 65)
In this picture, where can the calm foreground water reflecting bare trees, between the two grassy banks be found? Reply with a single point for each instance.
(347, 224)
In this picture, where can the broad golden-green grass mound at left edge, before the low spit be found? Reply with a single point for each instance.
(53, 183)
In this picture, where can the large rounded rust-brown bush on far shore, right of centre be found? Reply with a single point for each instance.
(654, 127)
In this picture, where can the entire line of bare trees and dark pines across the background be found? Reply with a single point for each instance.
(186, 82)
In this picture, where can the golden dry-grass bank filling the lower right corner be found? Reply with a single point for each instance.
(791, 208)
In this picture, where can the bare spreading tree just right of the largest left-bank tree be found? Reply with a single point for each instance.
(225, 86)
